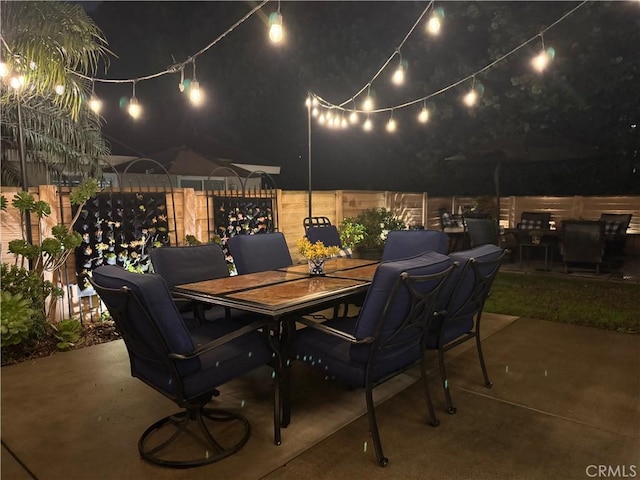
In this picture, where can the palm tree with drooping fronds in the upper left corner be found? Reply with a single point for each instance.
(49, 53)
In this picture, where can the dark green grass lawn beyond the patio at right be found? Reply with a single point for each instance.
(593, 303)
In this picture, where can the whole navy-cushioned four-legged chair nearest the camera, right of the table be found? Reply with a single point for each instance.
(385, 338)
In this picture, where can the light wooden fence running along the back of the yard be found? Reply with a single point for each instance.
(190, 210)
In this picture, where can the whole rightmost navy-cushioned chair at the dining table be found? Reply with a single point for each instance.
(467, 292)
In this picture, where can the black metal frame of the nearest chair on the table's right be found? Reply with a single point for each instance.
(422, 305)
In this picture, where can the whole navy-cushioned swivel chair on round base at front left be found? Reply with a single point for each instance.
(185, 365)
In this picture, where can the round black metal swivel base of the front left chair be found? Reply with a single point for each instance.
(165, 442)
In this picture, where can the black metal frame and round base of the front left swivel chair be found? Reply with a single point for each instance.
(195, 409)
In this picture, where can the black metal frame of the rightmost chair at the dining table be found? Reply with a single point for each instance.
(475, 303)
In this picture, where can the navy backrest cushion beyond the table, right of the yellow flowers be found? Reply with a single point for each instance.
(408, 243)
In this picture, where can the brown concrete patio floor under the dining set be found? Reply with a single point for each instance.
(565, 398)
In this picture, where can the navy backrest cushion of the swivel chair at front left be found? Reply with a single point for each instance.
(154, 297)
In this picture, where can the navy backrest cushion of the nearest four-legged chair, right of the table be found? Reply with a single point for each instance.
(384, 281)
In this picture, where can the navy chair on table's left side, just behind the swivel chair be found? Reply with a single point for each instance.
(188, 264)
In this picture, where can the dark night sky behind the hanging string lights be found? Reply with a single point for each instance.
(255, 91)
